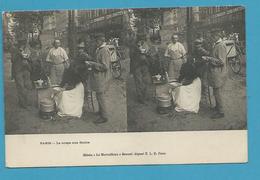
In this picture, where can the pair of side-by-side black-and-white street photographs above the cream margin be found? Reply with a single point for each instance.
(125, 70)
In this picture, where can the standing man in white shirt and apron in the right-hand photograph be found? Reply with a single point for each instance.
(175, 53)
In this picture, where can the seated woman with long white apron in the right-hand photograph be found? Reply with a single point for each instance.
(187, 96)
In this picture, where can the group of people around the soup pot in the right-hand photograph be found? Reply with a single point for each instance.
(195, 71)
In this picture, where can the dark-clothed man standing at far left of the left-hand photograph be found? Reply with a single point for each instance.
(21, 71)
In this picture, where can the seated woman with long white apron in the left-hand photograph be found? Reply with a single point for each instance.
(70, 97)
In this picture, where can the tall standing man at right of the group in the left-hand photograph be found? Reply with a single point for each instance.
(101, 76)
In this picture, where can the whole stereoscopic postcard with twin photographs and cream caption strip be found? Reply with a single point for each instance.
(130, 86)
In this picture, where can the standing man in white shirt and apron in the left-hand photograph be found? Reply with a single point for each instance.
(59, 61)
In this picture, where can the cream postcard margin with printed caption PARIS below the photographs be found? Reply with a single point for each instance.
(183, 147)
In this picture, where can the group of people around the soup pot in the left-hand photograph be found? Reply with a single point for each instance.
(70, 79)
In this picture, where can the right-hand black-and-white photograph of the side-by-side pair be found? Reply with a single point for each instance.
(187, 70)
